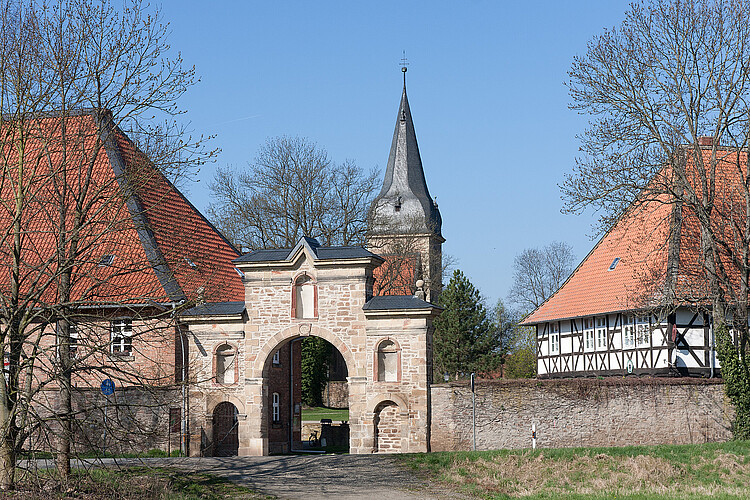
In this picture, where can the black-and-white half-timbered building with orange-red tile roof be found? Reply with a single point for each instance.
(638, 302)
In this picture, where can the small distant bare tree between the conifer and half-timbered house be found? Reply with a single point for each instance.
(538, 273)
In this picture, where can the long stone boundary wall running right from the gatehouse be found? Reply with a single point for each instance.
(580, 412)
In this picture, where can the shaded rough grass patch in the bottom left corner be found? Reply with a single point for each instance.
(136, 483)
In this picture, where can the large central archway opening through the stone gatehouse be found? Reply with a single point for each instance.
(307, 393)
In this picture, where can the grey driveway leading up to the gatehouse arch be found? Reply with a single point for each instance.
(321, 477)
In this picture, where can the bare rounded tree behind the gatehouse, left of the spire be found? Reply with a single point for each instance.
(292, 189)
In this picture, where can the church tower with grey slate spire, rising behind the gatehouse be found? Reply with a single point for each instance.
(406, 222)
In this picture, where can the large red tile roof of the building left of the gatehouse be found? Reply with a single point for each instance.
(132, 212)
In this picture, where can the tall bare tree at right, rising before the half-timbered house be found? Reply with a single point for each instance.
(668, 90)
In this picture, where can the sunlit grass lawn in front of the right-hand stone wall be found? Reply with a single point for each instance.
(713, 470)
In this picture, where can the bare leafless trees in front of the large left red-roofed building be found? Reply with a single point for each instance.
(73, 75)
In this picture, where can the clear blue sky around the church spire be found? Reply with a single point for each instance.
(486, 90)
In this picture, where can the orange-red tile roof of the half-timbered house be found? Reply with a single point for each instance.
(640, 239)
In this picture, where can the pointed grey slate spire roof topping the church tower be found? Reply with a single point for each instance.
(404, 199)
